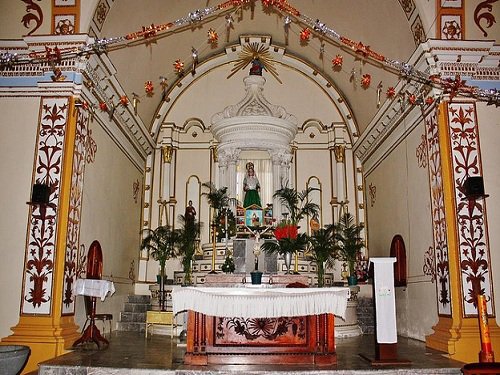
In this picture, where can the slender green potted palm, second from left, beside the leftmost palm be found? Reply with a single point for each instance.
(186, 240)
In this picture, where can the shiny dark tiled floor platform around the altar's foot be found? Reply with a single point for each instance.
(131, 353)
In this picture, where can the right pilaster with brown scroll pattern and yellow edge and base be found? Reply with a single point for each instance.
(468, 267)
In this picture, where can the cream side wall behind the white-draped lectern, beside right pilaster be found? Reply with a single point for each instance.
(402, 206)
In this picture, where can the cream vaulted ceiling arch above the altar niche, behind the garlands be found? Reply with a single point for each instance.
(385, 26)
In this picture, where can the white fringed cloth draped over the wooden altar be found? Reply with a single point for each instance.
(260, 303)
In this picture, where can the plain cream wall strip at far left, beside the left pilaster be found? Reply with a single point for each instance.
(18, 124)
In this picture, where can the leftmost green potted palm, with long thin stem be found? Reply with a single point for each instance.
(160, 244)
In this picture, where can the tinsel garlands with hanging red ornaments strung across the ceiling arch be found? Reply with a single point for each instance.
(311, 26)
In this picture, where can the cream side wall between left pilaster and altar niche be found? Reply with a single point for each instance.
(111, 215)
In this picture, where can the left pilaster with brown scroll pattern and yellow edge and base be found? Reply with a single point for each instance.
(46, 321)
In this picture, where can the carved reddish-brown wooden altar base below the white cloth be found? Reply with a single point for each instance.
(284, 340)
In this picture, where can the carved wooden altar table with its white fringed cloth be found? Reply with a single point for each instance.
(260, 325)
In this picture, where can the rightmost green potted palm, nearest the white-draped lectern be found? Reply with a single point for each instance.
(349, 243)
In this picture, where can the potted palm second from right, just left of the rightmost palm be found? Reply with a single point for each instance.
(322, 250)
